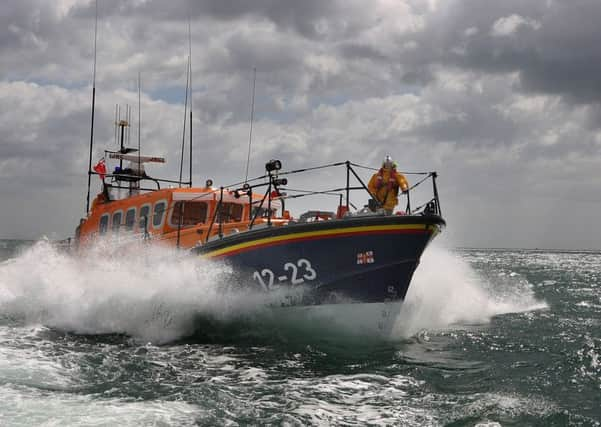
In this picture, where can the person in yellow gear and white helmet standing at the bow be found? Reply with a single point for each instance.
(384, 185)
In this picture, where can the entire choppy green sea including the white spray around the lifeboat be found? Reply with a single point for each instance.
(151, 336)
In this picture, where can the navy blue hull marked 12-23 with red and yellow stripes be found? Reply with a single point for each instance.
(354, 260)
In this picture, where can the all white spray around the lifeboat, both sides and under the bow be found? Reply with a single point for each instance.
(155, 293)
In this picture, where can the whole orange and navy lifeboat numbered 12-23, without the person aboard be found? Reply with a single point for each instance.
(321, 257)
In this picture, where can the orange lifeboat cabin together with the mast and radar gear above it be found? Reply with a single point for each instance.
(183, 216)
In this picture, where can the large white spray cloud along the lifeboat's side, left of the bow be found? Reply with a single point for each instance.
(150, 292)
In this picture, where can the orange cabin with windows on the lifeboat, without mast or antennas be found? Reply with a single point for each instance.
(186, 217)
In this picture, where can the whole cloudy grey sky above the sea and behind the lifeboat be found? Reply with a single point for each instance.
(501, 98)
